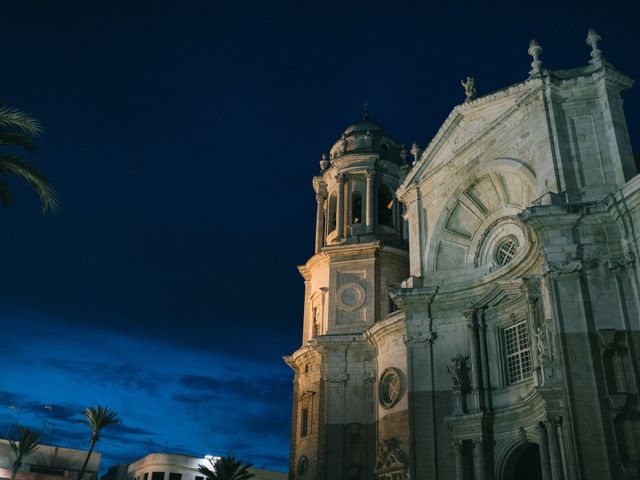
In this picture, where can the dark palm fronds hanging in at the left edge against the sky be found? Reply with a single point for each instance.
(18, 131)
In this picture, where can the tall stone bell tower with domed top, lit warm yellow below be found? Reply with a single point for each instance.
(360, 251)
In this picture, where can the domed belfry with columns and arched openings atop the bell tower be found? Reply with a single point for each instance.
(355, 190)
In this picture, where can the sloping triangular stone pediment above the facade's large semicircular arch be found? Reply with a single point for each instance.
(466, 124)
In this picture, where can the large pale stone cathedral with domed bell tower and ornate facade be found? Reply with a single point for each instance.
(472, 310)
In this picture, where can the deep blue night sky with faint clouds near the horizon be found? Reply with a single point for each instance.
(182, 138)
